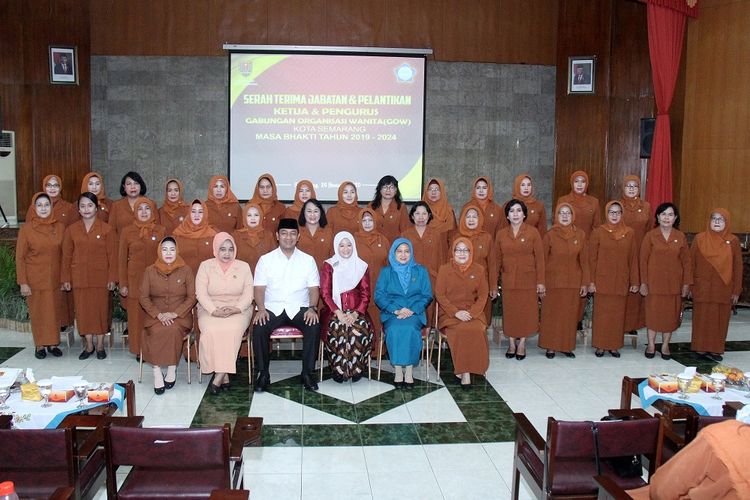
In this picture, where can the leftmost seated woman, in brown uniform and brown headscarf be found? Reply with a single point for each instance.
(167, 295)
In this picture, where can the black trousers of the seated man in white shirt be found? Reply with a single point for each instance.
(310, 340)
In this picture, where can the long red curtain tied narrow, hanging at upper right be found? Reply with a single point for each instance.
(666, 30)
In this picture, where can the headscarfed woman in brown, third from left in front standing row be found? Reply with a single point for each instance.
(138, 243)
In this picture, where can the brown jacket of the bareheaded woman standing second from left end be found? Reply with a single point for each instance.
(89, 259)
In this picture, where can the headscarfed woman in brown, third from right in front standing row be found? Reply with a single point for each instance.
(614, 271)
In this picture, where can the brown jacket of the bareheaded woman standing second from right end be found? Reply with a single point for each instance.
(665, 264)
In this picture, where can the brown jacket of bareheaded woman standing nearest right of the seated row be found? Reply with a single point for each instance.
(520, 259)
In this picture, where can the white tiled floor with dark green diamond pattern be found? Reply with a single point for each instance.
(369, 440)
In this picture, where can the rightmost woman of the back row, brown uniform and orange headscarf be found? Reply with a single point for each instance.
(637, 216)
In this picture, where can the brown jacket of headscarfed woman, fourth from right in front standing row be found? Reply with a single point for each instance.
(566, 261)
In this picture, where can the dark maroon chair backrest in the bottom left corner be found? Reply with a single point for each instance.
(38, 461)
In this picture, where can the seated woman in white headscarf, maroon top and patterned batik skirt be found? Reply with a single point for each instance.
(347, 331)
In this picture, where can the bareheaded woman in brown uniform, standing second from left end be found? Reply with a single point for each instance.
(89, 268)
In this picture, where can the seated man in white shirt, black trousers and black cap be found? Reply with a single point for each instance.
(287, 287)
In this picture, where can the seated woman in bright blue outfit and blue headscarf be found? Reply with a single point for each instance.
(402, 293)
